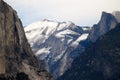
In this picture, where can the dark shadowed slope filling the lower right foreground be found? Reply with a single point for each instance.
(100, 61)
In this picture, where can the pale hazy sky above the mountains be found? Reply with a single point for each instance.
(81, 12)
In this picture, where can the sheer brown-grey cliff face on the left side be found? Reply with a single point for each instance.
(15, 53)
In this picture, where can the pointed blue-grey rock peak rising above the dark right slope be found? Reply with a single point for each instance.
(106, 23)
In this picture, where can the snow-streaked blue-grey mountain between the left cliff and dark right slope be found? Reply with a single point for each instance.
(56, 43)
